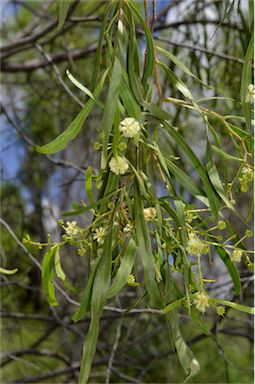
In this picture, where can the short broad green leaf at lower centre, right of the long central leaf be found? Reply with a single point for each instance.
(124, 270)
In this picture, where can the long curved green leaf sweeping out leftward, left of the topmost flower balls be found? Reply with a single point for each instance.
(61, 141)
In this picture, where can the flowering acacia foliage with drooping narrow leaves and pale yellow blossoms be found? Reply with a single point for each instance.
(156, 211)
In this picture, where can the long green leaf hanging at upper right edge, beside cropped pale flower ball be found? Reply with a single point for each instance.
(247, 80)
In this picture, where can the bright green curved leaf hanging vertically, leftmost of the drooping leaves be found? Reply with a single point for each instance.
(47, 276)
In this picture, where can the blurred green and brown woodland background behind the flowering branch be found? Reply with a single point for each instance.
(41, 344)
